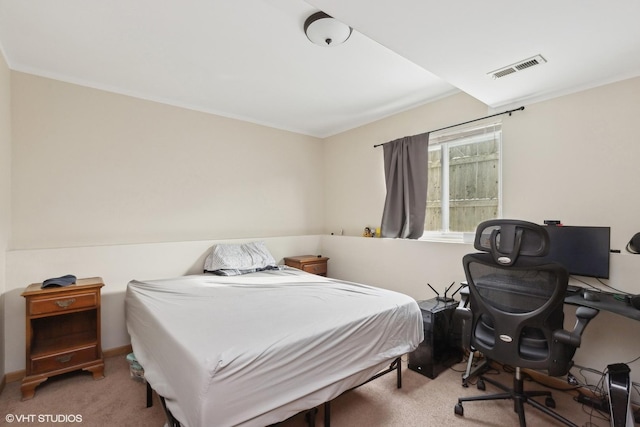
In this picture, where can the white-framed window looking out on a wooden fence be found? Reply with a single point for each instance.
(464, 185)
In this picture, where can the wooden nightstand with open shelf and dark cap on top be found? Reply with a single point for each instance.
(63, 332)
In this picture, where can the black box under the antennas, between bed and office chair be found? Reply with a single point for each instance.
(441, 347)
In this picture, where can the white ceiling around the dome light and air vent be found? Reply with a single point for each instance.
(251, 60)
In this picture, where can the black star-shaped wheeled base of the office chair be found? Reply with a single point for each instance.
(519, 397)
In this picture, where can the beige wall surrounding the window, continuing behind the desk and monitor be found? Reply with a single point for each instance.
(573, 158)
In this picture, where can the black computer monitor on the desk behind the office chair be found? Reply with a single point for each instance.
(583, 251)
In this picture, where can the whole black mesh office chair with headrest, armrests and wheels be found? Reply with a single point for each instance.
(515, 314)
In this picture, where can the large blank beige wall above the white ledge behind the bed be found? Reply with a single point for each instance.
(95, 168)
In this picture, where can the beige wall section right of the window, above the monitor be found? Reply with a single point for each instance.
(574, 158)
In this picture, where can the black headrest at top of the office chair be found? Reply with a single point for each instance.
(508, 239)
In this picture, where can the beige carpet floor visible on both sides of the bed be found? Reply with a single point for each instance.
(117, 400)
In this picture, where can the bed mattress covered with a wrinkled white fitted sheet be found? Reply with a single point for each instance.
(259, 348)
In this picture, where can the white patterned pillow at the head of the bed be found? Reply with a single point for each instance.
(244, 258)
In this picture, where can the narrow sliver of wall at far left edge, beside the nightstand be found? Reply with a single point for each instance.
(5, 192)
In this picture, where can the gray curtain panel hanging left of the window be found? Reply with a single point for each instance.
(405, 170)
